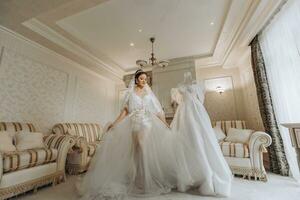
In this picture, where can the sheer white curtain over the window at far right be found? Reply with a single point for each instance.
(280, 44)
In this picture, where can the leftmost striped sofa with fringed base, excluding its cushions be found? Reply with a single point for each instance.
(21, 171)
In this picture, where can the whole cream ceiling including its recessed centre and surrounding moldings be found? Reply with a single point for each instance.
(97, 33)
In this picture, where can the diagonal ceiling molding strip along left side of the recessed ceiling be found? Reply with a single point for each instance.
(42, 29)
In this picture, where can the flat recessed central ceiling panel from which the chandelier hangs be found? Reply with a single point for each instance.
(182, 28)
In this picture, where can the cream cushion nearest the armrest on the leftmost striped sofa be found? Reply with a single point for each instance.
(29, 140)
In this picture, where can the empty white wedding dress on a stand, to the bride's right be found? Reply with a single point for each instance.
(197, 146)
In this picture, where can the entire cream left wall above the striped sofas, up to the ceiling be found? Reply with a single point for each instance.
(40, 86)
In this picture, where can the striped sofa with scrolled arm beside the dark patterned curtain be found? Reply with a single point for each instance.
(245, 159)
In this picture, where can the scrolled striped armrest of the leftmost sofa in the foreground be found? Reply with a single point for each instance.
(63, 143)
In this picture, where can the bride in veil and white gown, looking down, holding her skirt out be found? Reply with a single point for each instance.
(136, 153)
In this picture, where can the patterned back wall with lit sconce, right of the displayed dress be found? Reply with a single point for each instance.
(229, 105)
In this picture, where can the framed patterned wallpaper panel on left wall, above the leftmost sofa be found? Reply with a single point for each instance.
(31, 91)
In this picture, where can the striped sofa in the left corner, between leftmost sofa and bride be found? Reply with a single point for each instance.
(87, 136)
